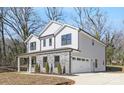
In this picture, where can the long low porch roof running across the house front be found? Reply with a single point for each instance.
(25, 55)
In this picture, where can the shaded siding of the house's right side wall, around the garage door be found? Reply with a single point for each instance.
(92, 52)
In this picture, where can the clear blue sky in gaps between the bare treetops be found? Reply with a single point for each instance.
(115, 15)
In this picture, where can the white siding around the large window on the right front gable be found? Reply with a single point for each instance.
(67, 30)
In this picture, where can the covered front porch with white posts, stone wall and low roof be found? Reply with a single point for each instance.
(52, 57)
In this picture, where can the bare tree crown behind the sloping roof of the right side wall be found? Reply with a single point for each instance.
(91, 20)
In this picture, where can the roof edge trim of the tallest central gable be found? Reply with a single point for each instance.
(48, 25)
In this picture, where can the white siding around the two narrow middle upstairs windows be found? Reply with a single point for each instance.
(47, 47)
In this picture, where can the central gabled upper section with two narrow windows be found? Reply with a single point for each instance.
(47, 35)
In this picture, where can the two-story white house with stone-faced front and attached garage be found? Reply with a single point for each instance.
(77, 51)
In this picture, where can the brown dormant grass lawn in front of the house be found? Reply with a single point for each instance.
(12, 78)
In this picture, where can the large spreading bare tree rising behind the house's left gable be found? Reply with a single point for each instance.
(23, 21)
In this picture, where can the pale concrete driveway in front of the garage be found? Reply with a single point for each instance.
(106, 78)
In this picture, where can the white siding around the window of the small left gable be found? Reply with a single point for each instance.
(33, 39)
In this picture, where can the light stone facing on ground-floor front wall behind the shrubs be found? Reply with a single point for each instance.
(64, 61)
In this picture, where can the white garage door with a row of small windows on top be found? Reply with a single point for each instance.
(80, 65)
